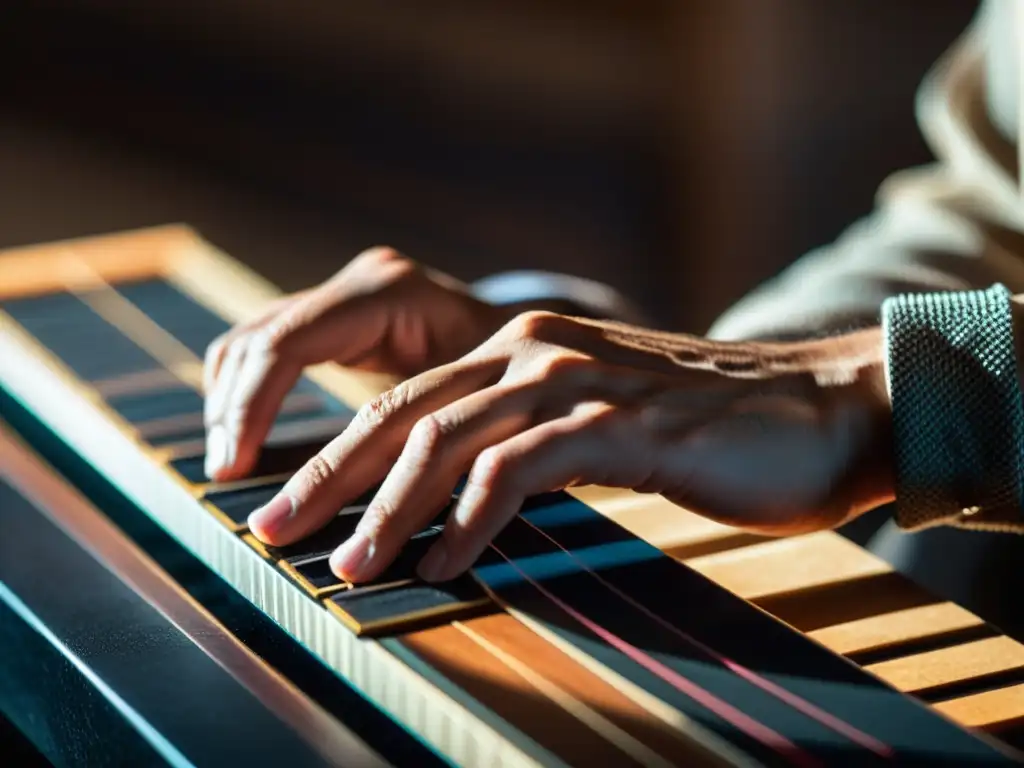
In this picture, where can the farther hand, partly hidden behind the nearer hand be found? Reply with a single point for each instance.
(382, 313)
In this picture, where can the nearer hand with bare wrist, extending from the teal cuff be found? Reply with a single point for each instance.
(777, 439)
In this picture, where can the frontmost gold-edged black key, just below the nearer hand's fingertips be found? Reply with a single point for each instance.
(376, 611)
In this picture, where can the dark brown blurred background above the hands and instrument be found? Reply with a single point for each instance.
(680, 150)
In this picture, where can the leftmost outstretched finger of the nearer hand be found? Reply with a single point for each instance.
(362, 456)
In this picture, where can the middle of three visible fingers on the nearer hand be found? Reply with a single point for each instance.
(441, 448)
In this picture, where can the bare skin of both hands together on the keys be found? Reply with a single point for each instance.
(776, 439)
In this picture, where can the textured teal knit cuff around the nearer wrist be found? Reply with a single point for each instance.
(958, 417)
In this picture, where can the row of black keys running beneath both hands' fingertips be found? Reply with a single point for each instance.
(167, 412)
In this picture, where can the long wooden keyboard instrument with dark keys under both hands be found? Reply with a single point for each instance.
(603, 627)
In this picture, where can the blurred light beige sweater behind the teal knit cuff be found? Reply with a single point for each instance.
(954, 226)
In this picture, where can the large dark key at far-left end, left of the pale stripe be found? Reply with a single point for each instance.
(86, 343)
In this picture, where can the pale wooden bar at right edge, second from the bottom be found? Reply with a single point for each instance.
(923, 672)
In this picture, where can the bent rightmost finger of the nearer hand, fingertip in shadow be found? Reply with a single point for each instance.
(591, 446)
